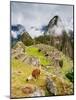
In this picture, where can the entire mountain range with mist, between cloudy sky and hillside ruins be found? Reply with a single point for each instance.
(55, 34)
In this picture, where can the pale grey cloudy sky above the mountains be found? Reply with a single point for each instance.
(33, 16)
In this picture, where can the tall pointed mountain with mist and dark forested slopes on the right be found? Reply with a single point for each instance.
(56, 35)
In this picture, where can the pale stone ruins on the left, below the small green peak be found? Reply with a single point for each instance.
(18, 52)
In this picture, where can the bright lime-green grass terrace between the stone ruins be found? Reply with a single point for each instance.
(33, 51)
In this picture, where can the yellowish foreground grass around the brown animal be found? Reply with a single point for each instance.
(19, 79)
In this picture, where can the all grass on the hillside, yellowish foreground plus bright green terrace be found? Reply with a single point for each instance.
(21, 71)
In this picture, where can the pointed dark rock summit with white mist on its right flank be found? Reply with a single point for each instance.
(55, 26)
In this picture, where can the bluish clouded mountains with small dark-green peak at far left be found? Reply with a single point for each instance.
(18, 33)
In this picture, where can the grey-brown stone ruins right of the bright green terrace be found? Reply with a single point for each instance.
(51, 54)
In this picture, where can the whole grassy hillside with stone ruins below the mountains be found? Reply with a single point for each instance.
(52, 79)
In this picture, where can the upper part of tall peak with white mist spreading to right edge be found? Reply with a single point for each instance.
(56, 27)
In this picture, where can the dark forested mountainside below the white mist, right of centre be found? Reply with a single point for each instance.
(63, 43)
